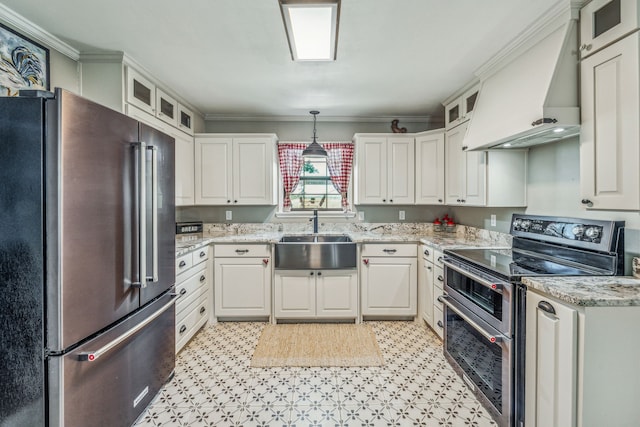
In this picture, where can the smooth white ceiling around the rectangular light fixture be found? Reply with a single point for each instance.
(395, 58)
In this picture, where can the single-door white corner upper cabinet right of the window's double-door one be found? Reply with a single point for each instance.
(430, 168)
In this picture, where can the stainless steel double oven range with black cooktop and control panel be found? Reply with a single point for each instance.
(484, 300)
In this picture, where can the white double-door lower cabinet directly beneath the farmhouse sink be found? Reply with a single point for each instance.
(305, 294)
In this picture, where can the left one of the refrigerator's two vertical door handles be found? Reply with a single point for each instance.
(141, 148)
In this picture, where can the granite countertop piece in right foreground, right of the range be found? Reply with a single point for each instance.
(602, 291)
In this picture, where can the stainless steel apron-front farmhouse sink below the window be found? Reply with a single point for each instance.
(315, 252)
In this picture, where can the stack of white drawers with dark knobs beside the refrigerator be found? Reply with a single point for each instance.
(192, 287)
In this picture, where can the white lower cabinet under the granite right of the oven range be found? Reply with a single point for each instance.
(582, 364)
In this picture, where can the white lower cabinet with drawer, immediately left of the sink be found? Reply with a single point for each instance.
(242, 285)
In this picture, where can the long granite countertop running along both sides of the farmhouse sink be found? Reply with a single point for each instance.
(439, 241)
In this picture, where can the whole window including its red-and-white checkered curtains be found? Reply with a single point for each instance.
(315, 183)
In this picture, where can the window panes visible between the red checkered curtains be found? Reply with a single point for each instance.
(315, 190)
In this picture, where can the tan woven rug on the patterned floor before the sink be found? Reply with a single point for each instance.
(317, 344)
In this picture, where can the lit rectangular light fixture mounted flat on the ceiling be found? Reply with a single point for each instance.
(312, 28)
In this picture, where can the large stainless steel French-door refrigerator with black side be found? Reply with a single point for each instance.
(87, 262)
